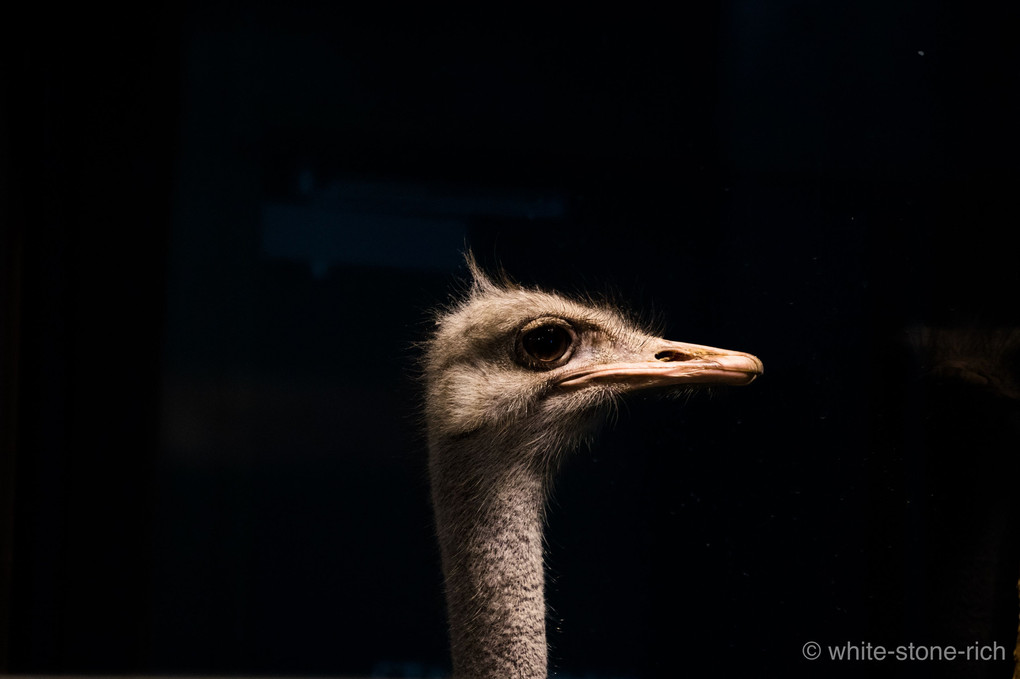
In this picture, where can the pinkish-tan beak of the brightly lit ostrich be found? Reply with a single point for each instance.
(671, 364)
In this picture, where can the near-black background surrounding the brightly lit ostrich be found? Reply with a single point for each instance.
(224, 228)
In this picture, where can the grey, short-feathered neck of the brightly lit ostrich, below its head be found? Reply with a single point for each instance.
(490, 523)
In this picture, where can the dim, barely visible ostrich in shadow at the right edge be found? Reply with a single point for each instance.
(967, 400)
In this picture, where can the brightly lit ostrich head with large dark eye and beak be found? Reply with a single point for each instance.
(514, 362)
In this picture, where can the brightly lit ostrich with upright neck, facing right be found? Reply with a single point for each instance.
(517, 378)
